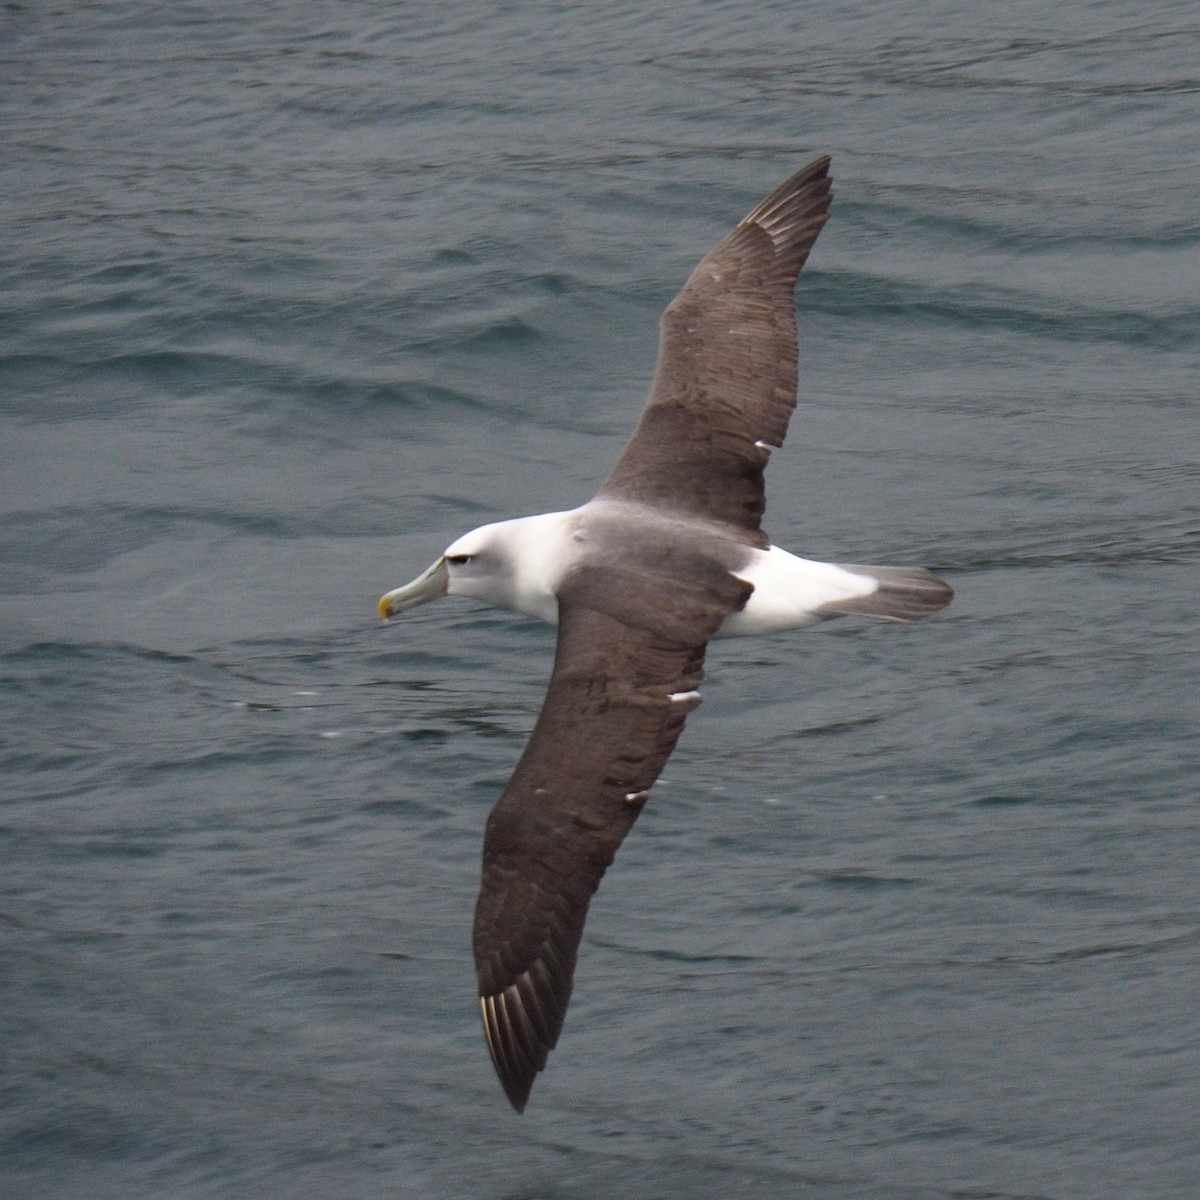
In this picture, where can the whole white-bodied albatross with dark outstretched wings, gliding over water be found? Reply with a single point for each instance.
(670, 554)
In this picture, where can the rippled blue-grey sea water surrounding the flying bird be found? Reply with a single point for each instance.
(295, 293)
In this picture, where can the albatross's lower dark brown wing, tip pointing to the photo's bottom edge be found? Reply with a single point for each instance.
(626, 677)
